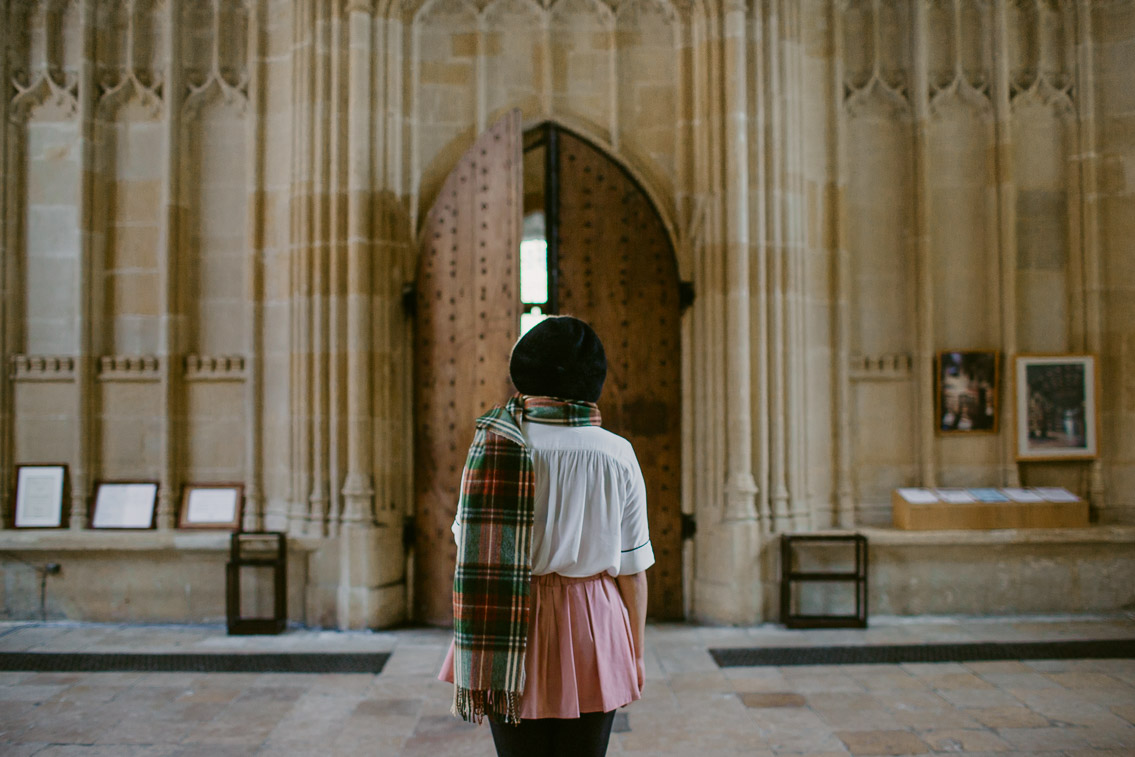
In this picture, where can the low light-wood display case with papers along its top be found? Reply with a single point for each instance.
(923, 516)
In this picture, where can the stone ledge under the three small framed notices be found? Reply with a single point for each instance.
(90, 541)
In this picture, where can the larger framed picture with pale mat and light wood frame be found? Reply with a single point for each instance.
(1057, 411)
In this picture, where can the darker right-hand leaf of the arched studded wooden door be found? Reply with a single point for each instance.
(617, 271)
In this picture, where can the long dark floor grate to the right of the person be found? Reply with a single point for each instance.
(923, 653)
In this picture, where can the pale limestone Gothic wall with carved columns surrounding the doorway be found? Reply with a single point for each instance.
(211, 209)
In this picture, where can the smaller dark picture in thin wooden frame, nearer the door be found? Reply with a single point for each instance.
(966, 392)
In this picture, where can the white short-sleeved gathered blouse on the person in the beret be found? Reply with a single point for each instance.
(591, 503)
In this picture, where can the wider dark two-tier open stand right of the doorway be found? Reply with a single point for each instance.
(791, 577)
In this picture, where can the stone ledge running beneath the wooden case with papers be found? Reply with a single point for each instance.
(962, 539)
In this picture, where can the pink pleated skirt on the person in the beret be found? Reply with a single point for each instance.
(581, 655)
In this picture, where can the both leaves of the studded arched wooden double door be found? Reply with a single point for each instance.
(611, 264)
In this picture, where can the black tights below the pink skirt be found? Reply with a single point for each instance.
(586, 736)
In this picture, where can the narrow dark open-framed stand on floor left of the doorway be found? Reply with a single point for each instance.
(257, 550)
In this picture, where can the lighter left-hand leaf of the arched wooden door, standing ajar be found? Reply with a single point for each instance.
(467, 323)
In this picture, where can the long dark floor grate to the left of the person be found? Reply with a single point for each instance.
(196, 663)
